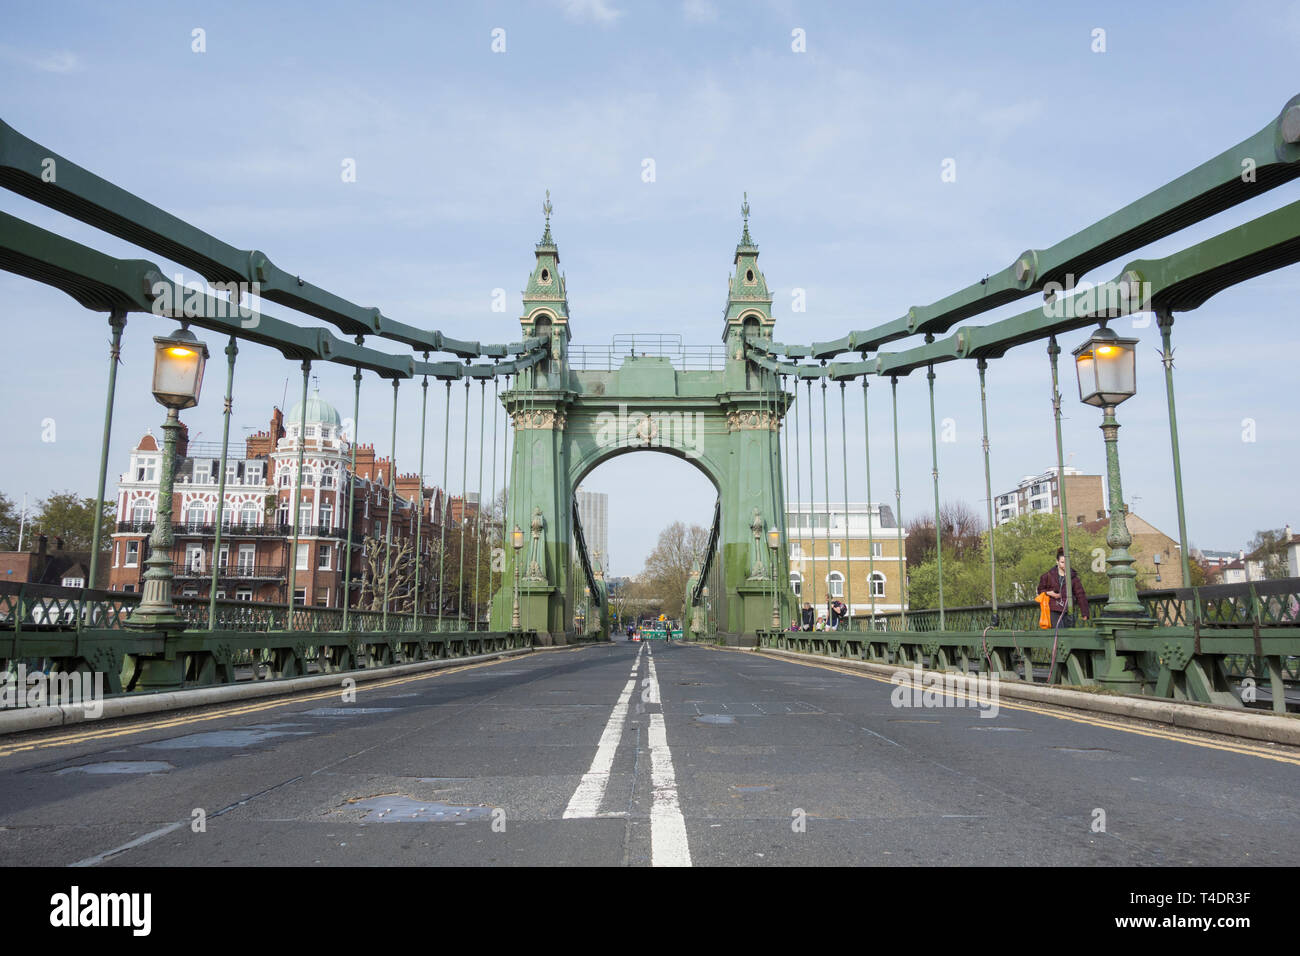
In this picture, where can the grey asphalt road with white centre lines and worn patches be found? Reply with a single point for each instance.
(639, 755)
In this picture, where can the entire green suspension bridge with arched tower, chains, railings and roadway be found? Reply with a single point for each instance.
(484, 694)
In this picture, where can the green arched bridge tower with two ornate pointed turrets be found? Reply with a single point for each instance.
(726, 422)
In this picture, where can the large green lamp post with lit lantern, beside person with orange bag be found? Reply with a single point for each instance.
(1107, 371)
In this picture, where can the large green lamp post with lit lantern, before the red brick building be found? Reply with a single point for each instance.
(179, 362)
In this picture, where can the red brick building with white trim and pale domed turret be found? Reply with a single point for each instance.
(258, 514)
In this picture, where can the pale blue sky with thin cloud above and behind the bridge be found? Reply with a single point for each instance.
(840, 150)
